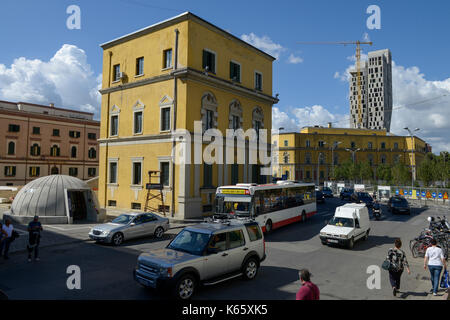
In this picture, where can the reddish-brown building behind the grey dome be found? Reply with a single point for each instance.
(39, 140)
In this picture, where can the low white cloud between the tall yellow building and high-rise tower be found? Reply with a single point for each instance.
(293, 119)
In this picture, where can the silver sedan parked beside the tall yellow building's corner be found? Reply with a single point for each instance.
(128, 226)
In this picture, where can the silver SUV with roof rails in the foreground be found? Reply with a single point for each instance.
(206, 253)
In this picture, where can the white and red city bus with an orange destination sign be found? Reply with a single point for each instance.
(271, 205)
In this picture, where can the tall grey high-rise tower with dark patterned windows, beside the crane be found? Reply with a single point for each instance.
(376, 92)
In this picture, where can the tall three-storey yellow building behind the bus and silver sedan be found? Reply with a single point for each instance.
(164, 78)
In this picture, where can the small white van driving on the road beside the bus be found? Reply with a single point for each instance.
(350, 223)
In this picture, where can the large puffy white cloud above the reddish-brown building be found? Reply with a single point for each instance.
(66, 79)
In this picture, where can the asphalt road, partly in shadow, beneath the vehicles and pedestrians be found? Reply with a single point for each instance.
(106, 271)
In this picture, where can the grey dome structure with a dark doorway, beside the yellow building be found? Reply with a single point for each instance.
(56, 199)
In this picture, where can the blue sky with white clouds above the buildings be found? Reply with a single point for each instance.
(43, 61)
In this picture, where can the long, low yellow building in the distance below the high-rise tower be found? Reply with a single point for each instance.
(316, 150)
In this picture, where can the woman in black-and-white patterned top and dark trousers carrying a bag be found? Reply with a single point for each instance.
(398, 263)
